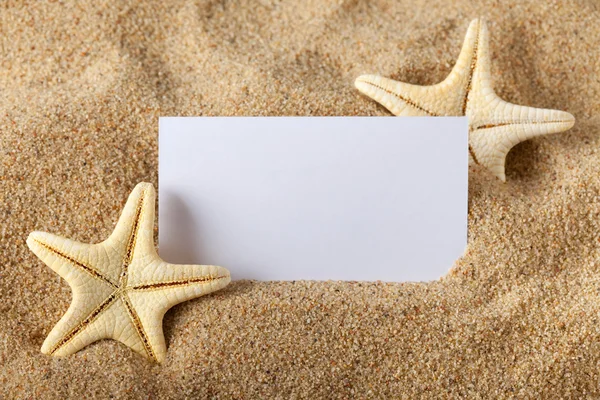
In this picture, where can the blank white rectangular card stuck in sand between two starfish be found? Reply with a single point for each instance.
(290, 198)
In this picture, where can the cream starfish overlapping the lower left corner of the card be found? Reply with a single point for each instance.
(121, 287)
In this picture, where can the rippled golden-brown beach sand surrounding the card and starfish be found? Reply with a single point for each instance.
(82, 84)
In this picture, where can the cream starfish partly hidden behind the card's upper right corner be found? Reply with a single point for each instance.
(495, 125)
